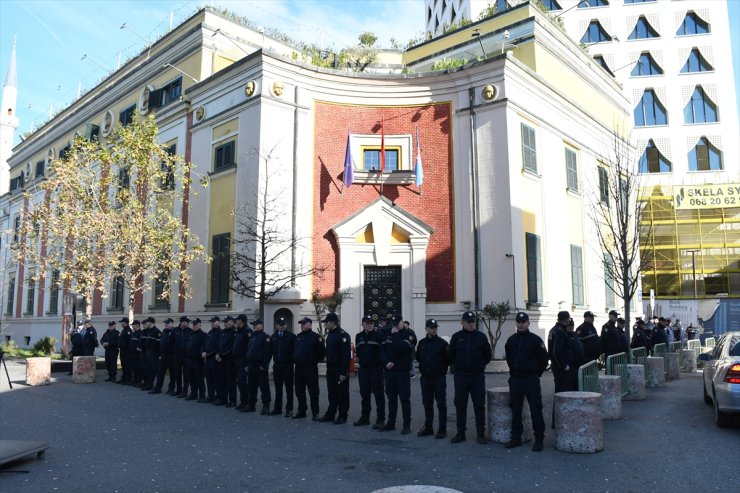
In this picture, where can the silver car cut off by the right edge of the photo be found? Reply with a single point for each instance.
(722, 378)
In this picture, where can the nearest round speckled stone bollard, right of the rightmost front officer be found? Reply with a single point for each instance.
(579, 427)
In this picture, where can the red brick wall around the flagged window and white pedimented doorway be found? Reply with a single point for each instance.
(434, 205)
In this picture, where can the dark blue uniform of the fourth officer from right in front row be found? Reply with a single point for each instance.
(398, 349)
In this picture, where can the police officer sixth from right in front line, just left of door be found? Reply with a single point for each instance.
(338, 353)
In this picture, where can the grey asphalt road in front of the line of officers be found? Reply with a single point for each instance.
(108, 438)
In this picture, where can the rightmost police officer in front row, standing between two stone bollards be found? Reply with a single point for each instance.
(527, 359)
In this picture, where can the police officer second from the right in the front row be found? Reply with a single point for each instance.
(470, 352)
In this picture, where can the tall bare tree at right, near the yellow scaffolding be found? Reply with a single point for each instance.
(618, 216)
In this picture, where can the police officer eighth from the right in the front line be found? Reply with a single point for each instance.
(282, 346)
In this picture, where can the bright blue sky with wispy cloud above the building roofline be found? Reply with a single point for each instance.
(53, 35)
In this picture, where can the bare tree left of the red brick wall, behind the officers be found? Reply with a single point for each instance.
(261, 257)
